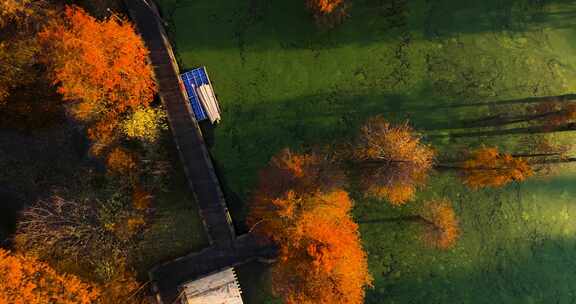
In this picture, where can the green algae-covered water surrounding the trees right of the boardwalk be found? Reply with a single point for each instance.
(283, 83)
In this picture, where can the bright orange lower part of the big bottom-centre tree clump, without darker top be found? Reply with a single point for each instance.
(321, 258)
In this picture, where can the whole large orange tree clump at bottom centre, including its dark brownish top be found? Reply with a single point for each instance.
(321, 259)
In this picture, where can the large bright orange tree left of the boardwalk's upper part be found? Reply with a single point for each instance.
(100, 65)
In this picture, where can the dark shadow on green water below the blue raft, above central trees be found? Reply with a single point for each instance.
(250, 134)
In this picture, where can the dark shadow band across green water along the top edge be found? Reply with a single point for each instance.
(262, 24)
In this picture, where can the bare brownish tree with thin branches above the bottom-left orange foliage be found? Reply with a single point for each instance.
(84, 230)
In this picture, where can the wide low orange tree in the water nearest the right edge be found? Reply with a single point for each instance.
(489, 168)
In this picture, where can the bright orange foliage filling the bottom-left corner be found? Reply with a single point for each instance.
(25, 280)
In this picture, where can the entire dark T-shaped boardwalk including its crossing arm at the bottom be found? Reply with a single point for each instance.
(226, 250)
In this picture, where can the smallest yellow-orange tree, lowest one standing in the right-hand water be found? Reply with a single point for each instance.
(442, 229)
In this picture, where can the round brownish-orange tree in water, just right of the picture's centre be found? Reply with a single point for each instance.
(392, 160)
